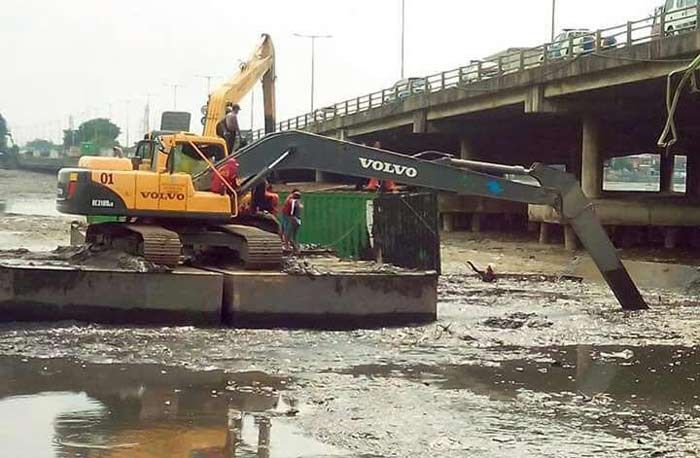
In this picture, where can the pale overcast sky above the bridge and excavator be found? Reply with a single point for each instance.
(107, 58)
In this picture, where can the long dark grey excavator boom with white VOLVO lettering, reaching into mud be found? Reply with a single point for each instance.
(301, 150)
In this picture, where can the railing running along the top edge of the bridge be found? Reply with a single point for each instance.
(659, 26)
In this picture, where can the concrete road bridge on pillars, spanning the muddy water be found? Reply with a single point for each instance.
(575, 103)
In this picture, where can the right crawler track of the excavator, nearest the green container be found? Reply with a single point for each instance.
(260, 249)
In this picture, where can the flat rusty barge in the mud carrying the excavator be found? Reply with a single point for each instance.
(329, 294)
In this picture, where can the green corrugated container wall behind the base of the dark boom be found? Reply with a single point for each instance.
(336, 220)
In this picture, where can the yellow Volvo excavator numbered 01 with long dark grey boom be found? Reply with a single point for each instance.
(169, 213)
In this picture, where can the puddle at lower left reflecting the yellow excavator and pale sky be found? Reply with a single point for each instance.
(92, 410)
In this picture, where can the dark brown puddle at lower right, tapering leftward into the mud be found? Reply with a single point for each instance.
(628, 392)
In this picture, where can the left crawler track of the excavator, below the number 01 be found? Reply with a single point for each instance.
(156, 244)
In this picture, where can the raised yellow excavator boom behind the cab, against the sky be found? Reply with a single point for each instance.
(260, 65)
